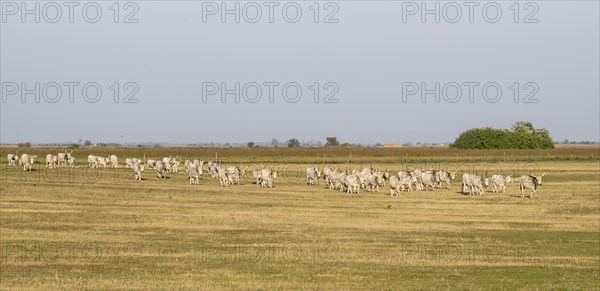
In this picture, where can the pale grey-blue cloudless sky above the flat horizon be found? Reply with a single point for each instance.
(351, 69)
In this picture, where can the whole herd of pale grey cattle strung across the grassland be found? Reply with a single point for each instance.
(350, 181)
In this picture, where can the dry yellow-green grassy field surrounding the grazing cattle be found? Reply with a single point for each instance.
(81, 228)
